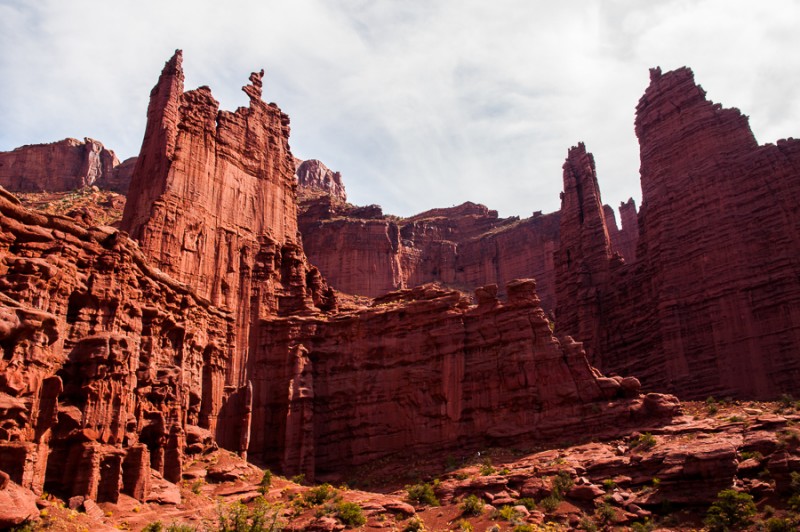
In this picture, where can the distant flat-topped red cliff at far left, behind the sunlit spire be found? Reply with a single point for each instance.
(64, 165)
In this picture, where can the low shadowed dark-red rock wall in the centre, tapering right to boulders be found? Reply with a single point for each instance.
(425, 371)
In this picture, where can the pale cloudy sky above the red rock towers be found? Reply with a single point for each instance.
(418, 103)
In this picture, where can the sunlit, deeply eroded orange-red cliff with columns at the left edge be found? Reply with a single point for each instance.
(106, 361)
